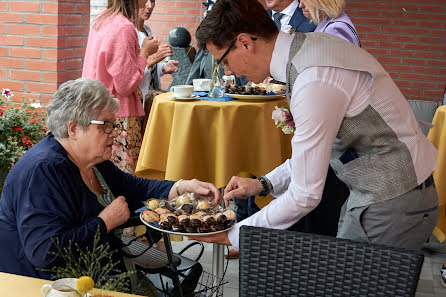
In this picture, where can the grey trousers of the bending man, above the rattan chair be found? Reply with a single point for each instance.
(406, 221)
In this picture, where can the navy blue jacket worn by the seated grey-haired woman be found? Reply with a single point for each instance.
(44, 197)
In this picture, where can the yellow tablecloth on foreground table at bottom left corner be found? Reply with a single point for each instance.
(12, 285)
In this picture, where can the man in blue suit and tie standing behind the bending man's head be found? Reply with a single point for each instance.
(288, 12)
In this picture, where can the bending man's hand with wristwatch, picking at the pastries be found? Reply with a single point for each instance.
(242, 187)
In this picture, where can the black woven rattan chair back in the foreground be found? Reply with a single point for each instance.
(287, 263)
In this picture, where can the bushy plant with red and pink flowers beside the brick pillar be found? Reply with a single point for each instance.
(21, 127)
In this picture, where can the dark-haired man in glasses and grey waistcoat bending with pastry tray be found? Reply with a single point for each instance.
(348, 112)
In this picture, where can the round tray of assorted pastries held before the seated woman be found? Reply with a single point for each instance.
(185, 215)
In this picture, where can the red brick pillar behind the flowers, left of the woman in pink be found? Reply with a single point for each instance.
(42, 44)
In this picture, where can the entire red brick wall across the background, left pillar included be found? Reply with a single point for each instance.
(42, 42)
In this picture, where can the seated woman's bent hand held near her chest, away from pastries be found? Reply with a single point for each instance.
(115, 214)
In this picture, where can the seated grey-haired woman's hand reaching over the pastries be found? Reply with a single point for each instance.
(201, 189)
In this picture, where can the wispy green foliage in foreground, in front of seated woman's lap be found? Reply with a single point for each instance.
(96, 262)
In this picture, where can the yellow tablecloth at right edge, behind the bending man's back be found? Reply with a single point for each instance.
(437, 135)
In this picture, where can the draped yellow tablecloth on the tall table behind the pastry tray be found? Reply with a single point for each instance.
(210, 140)
